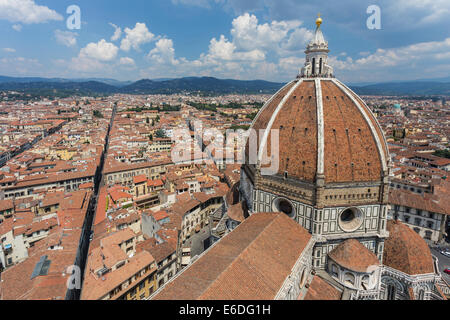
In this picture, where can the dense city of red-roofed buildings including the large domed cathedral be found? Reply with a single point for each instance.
(94, 206)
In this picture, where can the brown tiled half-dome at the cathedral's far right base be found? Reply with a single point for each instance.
(406, 251)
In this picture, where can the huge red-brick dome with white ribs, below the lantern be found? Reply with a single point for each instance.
(325, 129)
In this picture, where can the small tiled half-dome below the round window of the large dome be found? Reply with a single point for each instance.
(352, 255)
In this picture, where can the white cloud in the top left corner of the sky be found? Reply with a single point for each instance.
(27, 12)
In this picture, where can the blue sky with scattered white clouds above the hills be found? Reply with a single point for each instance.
(227, 39)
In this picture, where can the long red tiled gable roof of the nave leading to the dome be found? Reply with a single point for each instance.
(252, 262)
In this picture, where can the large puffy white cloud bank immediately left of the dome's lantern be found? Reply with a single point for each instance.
(244, 56)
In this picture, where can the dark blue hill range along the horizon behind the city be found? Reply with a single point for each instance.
(207, 85)
